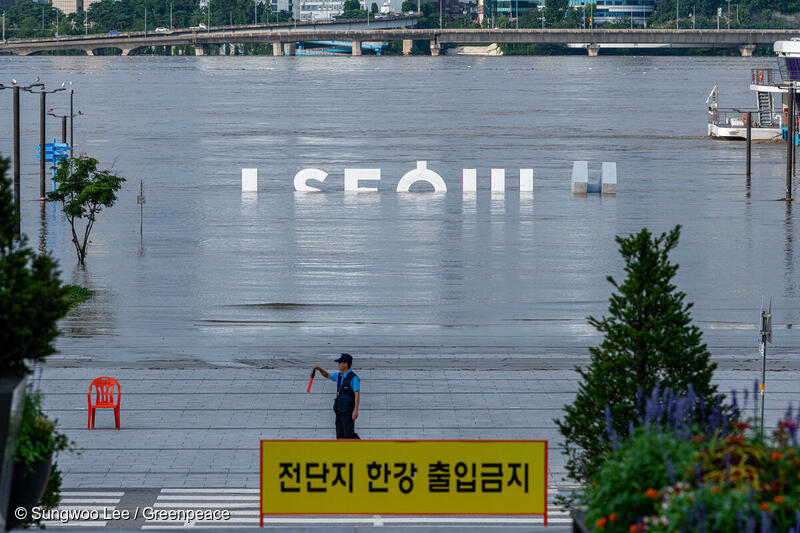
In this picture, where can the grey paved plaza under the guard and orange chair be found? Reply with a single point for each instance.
(190, 436)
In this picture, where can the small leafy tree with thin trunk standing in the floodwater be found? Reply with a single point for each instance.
(83, 192)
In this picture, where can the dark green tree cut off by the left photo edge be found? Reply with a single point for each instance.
(32, 298)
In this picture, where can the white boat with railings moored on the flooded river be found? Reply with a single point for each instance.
(772, 98)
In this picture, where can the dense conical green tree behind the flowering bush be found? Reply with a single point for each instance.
(649, 342)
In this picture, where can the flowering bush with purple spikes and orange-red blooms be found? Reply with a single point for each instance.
(712, 475)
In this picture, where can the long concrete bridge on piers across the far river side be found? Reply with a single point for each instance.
(284, 38)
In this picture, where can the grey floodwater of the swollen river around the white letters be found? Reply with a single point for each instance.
(222, 276)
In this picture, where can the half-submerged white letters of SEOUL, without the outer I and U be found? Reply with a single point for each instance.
(353, 177)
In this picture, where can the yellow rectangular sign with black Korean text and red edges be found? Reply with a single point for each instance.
(403, 477)
